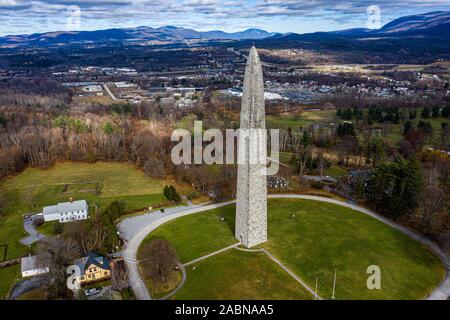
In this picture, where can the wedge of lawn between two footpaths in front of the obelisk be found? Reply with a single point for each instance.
(240, 275)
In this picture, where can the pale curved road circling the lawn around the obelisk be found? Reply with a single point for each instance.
(442, 292)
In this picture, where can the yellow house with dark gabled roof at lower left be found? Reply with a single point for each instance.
(93, 268)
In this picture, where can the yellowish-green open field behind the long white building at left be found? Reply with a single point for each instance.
(34, 188)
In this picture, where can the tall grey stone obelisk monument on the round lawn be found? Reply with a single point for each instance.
(251, 206)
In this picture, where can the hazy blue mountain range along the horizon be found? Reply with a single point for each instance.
(430, 25)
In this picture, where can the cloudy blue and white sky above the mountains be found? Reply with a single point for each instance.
(301, 16)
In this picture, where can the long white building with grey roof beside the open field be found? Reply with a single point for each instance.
(66, 211)
